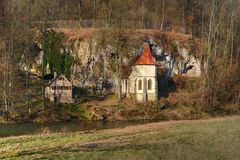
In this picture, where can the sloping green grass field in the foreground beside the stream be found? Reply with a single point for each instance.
(181, 140)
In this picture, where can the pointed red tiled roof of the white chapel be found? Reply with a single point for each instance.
(145, 57)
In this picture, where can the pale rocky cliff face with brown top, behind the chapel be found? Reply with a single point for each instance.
(175, 53)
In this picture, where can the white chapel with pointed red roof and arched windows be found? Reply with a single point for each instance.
(141, 85)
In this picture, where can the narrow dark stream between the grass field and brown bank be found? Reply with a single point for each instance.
(7, 130)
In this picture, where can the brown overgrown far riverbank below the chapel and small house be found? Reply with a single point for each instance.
(178, 106)
